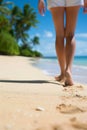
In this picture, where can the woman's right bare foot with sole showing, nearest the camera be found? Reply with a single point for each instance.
(68, 79)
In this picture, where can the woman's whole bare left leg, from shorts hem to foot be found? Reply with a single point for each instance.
(58, 18)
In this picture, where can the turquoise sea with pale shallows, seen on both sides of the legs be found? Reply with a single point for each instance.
(50, 66)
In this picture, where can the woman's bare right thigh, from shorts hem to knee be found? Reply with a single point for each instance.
(71, 19)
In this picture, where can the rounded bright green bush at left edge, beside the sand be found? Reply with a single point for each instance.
(8, 45)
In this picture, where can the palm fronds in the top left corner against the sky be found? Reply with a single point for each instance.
(4, 7)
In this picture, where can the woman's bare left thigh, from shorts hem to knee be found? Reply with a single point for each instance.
(58, 18)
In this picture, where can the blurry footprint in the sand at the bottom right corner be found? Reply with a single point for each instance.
(78, 124)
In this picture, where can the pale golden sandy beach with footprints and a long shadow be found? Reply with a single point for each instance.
(31, 100)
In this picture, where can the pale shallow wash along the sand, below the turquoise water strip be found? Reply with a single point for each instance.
(51, 68)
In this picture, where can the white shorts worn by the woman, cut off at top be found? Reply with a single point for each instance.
(64, 3)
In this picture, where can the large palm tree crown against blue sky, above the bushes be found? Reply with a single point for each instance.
(22, 21)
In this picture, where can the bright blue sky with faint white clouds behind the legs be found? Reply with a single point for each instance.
(46, 32)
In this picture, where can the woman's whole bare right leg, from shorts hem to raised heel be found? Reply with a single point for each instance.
(71, 18)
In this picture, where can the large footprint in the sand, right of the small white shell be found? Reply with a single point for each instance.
(69, 109)
